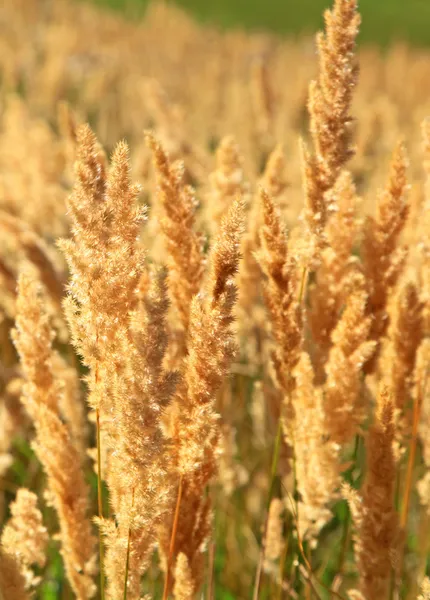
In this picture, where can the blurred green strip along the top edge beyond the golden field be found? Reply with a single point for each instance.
(384, 21)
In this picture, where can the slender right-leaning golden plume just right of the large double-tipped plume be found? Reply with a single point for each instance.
(212, 345)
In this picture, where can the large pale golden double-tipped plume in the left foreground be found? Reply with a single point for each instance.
(104, 259)
